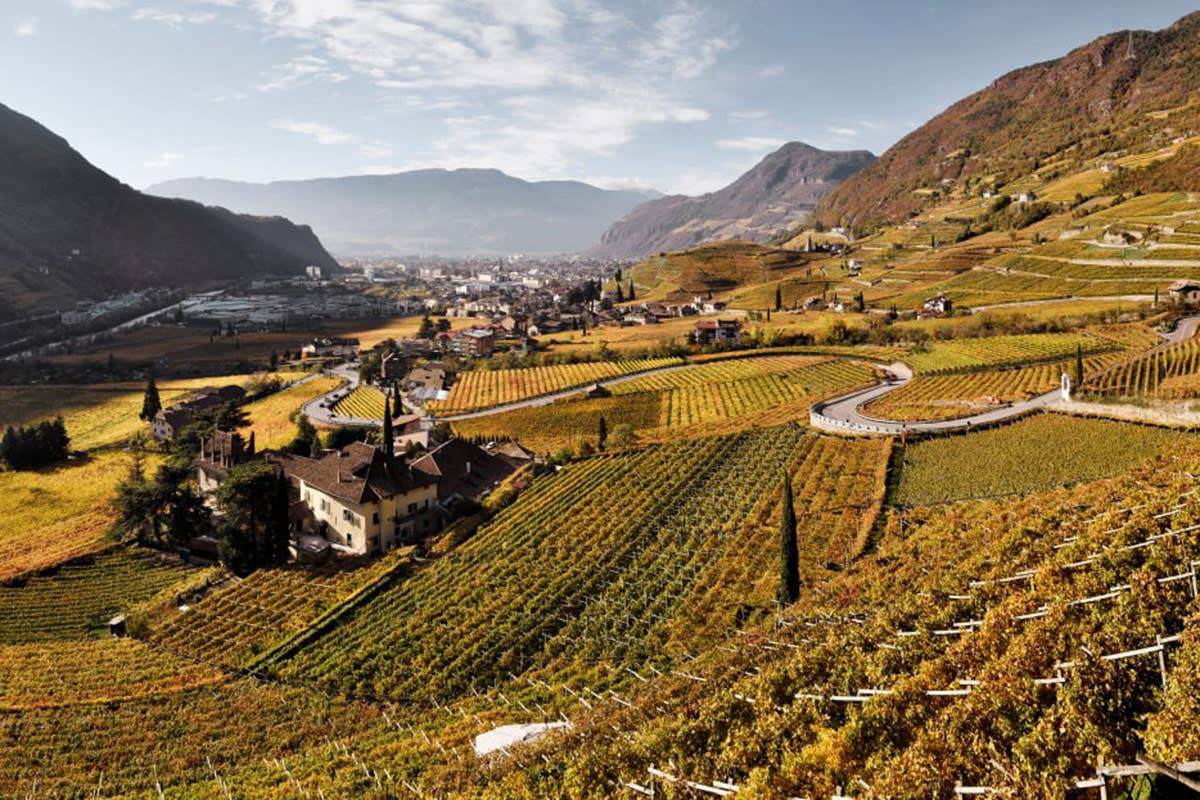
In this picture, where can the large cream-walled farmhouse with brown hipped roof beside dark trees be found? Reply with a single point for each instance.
(361, 500)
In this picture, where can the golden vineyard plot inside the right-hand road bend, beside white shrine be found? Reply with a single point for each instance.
(947, 396)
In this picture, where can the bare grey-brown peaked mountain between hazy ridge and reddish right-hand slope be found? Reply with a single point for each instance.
(777, 194)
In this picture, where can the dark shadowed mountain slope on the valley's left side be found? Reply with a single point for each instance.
(69, 231)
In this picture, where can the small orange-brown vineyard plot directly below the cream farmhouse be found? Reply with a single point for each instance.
(236, 624)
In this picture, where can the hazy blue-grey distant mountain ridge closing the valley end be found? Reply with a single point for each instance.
(449, 213)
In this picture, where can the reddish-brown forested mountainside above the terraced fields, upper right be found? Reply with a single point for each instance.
(1125, 91)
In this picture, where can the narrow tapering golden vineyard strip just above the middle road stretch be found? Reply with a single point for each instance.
(487, 388)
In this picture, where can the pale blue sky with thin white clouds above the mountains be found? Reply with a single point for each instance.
(681, 97)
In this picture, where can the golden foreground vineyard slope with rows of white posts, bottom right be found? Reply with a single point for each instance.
(1006, 646)
